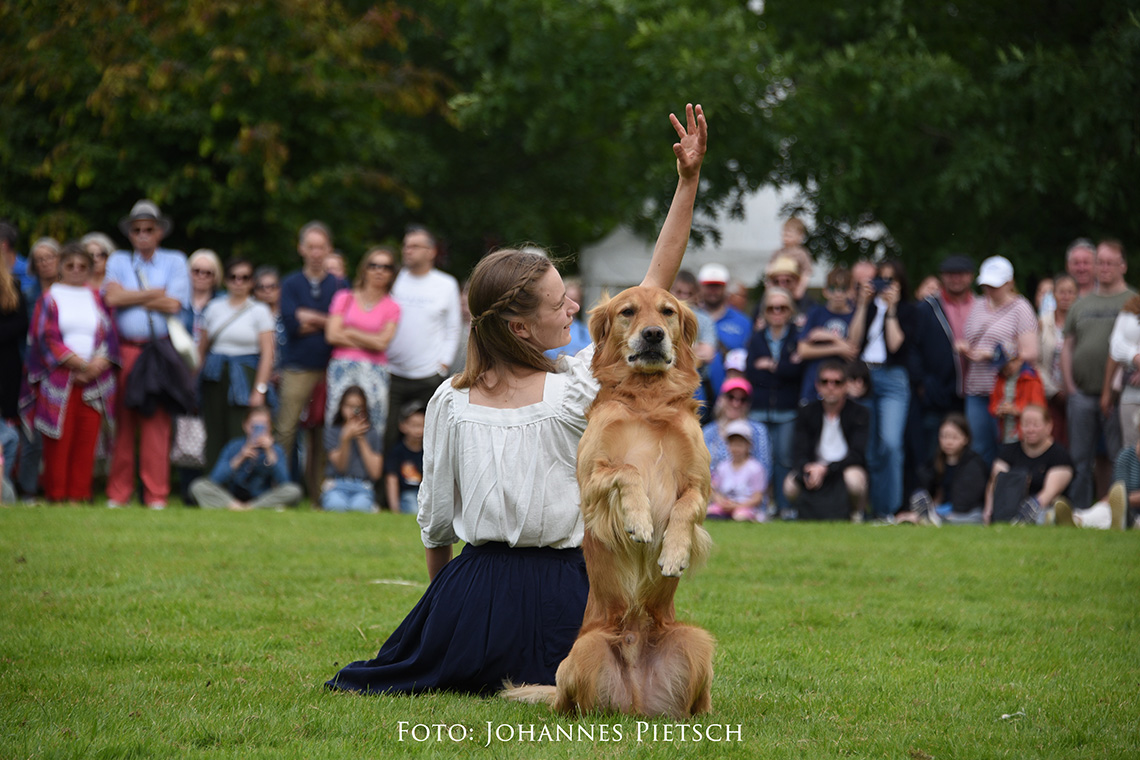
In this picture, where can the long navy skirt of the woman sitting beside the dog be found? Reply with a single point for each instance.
(494, 614)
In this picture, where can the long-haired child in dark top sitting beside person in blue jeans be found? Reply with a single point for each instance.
(954, 485)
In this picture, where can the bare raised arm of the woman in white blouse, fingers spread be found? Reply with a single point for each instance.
(674, 238)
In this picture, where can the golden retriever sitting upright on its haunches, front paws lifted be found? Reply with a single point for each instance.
(644, 472)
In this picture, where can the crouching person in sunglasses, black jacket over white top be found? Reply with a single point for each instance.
(830, 438)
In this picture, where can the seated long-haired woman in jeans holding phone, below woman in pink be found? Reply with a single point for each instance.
(355, 456)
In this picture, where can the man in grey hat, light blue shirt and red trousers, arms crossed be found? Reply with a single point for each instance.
(143, 287)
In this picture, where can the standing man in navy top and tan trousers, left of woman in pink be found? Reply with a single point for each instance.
(306, 299)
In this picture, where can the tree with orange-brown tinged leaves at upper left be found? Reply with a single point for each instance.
(245, 120)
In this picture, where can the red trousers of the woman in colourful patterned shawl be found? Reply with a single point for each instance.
(69, 462)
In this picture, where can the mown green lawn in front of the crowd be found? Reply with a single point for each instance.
(202, 634)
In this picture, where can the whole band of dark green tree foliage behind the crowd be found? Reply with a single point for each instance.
(970, 127)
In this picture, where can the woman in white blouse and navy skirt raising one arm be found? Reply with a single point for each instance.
(500, 447)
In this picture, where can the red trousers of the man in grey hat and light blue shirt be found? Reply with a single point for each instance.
(153, 435)
